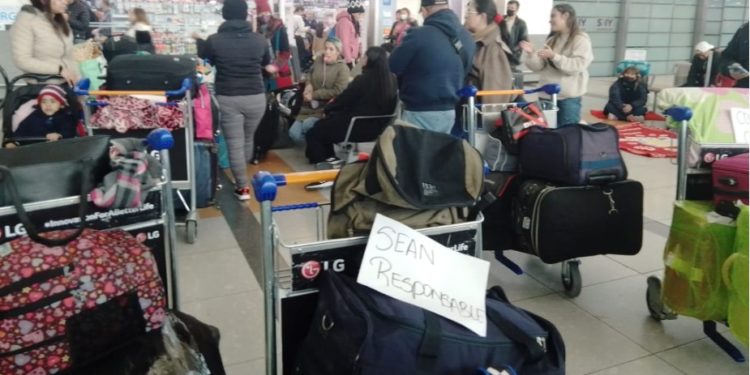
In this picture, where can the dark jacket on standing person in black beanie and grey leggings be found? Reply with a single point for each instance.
(239, 56)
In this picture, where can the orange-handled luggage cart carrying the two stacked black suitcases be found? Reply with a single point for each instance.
(570, 274)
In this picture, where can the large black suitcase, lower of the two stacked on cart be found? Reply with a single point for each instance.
(561, 223)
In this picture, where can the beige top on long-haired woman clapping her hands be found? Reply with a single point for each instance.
(569, 67)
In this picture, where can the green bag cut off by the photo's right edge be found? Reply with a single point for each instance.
(735, 273)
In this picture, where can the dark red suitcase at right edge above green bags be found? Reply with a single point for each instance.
(730, 179)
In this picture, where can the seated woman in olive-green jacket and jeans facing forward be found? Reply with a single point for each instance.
(327, 79)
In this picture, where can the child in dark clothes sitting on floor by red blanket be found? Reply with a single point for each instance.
(627, 97)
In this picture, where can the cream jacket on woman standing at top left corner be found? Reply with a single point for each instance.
(36, 46)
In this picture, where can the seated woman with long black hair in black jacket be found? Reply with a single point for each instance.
(373, 93)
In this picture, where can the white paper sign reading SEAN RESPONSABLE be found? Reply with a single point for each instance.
(411, 267)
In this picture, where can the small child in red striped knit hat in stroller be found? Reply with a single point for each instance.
(50, 118)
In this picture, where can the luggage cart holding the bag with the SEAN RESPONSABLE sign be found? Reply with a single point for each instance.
(291, 294)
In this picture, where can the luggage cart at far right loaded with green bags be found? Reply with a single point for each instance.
(656, 307)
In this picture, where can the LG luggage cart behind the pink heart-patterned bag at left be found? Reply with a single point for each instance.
(149, 222)
